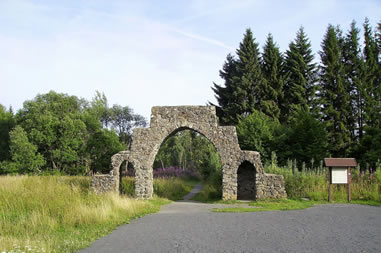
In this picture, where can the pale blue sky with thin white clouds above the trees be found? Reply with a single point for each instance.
(147, 53)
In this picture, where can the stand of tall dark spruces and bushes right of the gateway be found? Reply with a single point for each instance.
(301, 109)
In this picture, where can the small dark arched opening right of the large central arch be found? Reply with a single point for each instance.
(246, 181)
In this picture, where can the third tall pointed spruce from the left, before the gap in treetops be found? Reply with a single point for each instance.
(300, 87)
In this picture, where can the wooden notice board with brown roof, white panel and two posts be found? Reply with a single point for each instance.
(339, 173)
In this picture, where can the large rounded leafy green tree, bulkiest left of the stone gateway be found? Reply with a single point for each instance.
(54, 123)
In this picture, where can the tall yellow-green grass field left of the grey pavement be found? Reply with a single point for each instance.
(60, 214)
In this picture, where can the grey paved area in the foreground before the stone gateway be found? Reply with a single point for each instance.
(190, 227)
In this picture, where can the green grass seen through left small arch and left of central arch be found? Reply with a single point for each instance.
(173, 188)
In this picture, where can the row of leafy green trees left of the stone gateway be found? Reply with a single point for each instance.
(58, 132)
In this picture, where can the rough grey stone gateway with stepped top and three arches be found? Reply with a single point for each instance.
(167, 120)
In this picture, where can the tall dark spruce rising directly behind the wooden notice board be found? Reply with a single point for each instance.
(333, 95)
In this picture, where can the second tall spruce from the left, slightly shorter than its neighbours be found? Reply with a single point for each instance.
(274, 79)
